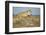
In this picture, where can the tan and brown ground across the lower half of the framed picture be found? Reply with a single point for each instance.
(26, 21)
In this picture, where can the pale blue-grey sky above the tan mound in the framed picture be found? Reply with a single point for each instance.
(35, 11)
